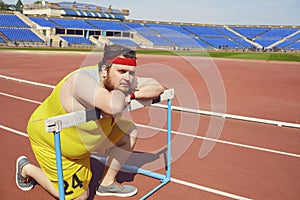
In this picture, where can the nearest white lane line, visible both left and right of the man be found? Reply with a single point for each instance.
(193, 185)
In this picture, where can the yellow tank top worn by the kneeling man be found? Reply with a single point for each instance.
(75, 141)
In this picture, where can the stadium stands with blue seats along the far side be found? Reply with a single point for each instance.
(66, 24)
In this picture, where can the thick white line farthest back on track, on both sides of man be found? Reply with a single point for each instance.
(189, 110)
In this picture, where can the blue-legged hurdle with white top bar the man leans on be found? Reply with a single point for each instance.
(56, 124)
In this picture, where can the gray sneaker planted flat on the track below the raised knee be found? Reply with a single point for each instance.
(117, 190)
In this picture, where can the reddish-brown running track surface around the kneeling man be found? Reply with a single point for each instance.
(250, 160)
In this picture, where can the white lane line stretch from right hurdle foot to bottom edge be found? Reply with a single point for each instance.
(207, 189)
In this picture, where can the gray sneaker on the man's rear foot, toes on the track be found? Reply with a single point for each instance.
(23, 183)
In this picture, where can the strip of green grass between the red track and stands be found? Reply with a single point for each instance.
(293, 57)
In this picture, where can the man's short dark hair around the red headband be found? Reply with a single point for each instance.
(113, 51)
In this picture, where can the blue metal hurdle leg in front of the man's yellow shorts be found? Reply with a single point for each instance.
(59, 165)
